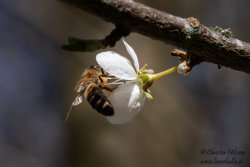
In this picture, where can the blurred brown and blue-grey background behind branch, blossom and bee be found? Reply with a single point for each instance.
(207, 109)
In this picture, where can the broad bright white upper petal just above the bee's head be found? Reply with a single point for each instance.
(116, 65)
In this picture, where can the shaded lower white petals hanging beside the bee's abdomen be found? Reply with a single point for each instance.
(127, 101)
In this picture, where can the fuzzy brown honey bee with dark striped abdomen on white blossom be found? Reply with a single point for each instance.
(91, 84)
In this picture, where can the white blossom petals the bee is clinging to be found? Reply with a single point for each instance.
(128, 98)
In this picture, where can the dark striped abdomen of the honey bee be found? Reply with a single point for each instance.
(98, 100)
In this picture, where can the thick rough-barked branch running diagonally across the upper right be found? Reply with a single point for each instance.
(201, 42)
